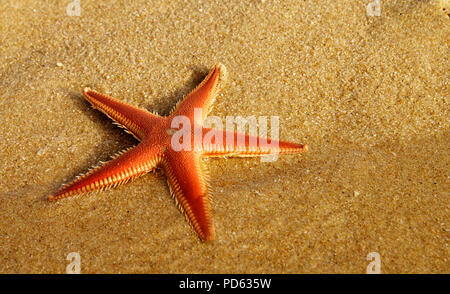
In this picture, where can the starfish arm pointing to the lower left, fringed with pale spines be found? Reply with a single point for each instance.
(125, 166)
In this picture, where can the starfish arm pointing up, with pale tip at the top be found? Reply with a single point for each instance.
(203, 96)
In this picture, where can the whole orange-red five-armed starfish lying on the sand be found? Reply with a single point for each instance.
(159, 147)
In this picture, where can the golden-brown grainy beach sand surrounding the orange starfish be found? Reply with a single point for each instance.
(366, 89)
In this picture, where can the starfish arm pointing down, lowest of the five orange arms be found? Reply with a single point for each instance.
(188, 185)
